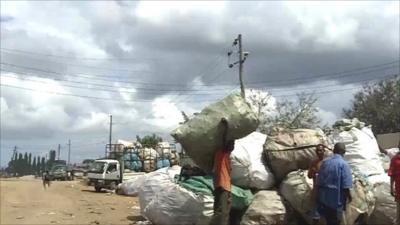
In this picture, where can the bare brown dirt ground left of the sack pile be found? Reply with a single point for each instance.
(25, 201)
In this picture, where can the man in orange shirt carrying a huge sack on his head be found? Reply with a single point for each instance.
(222, 179)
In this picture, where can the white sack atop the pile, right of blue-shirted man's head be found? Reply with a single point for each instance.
(362, 150)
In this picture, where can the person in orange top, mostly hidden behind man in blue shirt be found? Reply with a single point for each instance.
(313, 174)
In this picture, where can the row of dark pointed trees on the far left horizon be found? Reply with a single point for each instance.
(25, 164)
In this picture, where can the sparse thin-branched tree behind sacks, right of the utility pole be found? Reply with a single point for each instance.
(301, 113)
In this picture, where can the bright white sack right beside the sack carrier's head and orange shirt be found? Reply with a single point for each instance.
(248, 169)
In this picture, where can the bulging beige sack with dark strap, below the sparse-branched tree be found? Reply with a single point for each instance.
(292, 149)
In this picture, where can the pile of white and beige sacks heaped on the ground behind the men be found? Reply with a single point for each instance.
(275, 169)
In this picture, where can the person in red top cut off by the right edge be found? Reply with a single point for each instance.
(394, 173)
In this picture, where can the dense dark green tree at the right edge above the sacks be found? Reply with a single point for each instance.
(378, 104)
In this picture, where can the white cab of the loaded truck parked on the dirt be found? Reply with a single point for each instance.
(104, 173)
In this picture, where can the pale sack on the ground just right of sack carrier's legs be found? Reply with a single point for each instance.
(266, 208)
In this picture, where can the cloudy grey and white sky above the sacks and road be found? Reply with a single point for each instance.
(67, 66)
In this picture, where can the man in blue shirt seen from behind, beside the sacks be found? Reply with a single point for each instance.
(333, 186)
